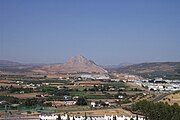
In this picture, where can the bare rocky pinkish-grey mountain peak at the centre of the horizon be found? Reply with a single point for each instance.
(77, 64)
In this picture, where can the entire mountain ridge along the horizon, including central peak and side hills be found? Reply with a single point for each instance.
(80, 64)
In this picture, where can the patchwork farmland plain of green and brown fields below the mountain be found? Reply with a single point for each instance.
(39, 95)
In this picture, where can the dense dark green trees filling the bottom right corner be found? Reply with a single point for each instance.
(157, 111)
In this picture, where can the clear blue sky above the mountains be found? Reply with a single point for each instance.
(108, 32)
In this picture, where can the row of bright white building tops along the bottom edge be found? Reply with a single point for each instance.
(66, 117)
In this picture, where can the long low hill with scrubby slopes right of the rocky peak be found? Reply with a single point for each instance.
(167, 70)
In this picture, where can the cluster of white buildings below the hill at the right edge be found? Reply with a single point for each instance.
(160, 84)
